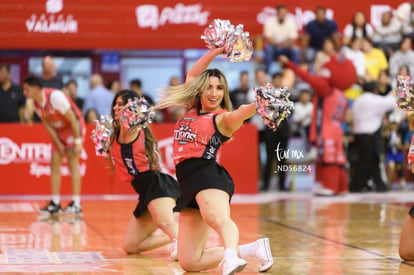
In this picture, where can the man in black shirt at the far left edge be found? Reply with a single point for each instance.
(12, 100)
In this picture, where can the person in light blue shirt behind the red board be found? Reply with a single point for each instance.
(99, 97)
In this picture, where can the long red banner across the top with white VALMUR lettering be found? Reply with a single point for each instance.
(161, 24)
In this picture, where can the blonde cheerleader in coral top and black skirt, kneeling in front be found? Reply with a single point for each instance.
(206, 186)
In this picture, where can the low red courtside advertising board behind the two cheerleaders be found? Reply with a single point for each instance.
(25, 153)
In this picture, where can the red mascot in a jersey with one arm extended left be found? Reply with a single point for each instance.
(326, 130)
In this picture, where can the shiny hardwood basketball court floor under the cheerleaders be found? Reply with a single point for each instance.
(354, 234)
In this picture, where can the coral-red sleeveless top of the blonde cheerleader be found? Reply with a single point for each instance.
(196, 136)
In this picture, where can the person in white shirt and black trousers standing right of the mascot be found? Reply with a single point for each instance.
(367, 112)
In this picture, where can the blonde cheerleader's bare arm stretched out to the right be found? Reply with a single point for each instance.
(230, 122)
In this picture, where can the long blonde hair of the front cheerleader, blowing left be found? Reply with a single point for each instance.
(188, 94)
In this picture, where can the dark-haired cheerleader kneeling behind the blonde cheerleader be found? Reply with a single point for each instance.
(135, 159)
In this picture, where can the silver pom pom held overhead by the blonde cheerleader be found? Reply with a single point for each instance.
(237, 44)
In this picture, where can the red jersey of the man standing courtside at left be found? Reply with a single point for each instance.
(55, 119)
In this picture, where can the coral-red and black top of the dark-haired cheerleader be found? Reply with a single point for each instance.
(130, 159)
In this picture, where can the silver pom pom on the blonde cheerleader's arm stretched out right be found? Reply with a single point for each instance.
(273, 105)
